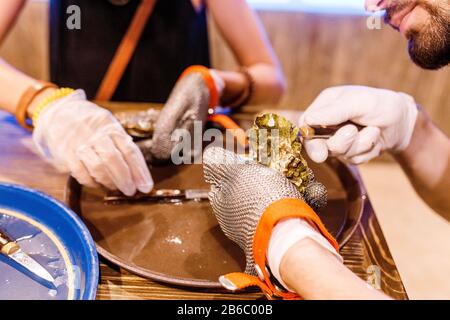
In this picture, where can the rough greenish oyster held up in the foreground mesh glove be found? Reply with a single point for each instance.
(274, 143)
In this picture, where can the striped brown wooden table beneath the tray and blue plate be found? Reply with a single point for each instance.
(366, 254)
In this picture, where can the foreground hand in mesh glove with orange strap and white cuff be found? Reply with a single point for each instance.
(248, 200)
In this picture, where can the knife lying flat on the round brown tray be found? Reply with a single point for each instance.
(161, 195)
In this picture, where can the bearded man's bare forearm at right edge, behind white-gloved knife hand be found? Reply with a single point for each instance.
(426, 161)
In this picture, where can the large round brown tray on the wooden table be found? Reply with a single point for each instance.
(182, 244)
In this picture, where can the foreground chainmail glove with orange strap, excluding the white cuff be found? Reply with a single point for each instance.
(249, 199)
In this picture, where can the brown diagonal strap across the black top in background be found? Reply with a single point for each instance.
(125, 51)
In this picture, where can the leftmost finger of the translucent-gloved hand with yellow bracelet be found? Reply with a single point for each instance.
(95, 167)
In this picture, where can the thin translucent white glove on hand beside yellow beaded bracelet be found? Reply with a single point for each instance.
(79, 137)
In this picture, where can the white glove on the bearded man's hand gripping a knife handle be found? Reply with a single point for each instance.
(388, 117)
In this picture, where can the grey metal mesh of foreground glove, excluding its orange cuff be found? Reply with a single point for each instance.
(240, 194)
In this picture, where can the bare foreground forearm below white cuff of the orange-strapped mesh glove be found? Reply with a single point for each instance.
(315, 274)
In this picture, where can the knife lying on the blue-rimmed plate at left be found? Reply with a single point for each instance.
(12, 250)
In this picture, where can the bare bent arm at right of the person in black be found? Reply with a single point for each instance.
(245, 35)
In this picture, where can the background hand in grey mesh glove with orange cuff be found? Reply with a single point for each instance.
(197, 90)
